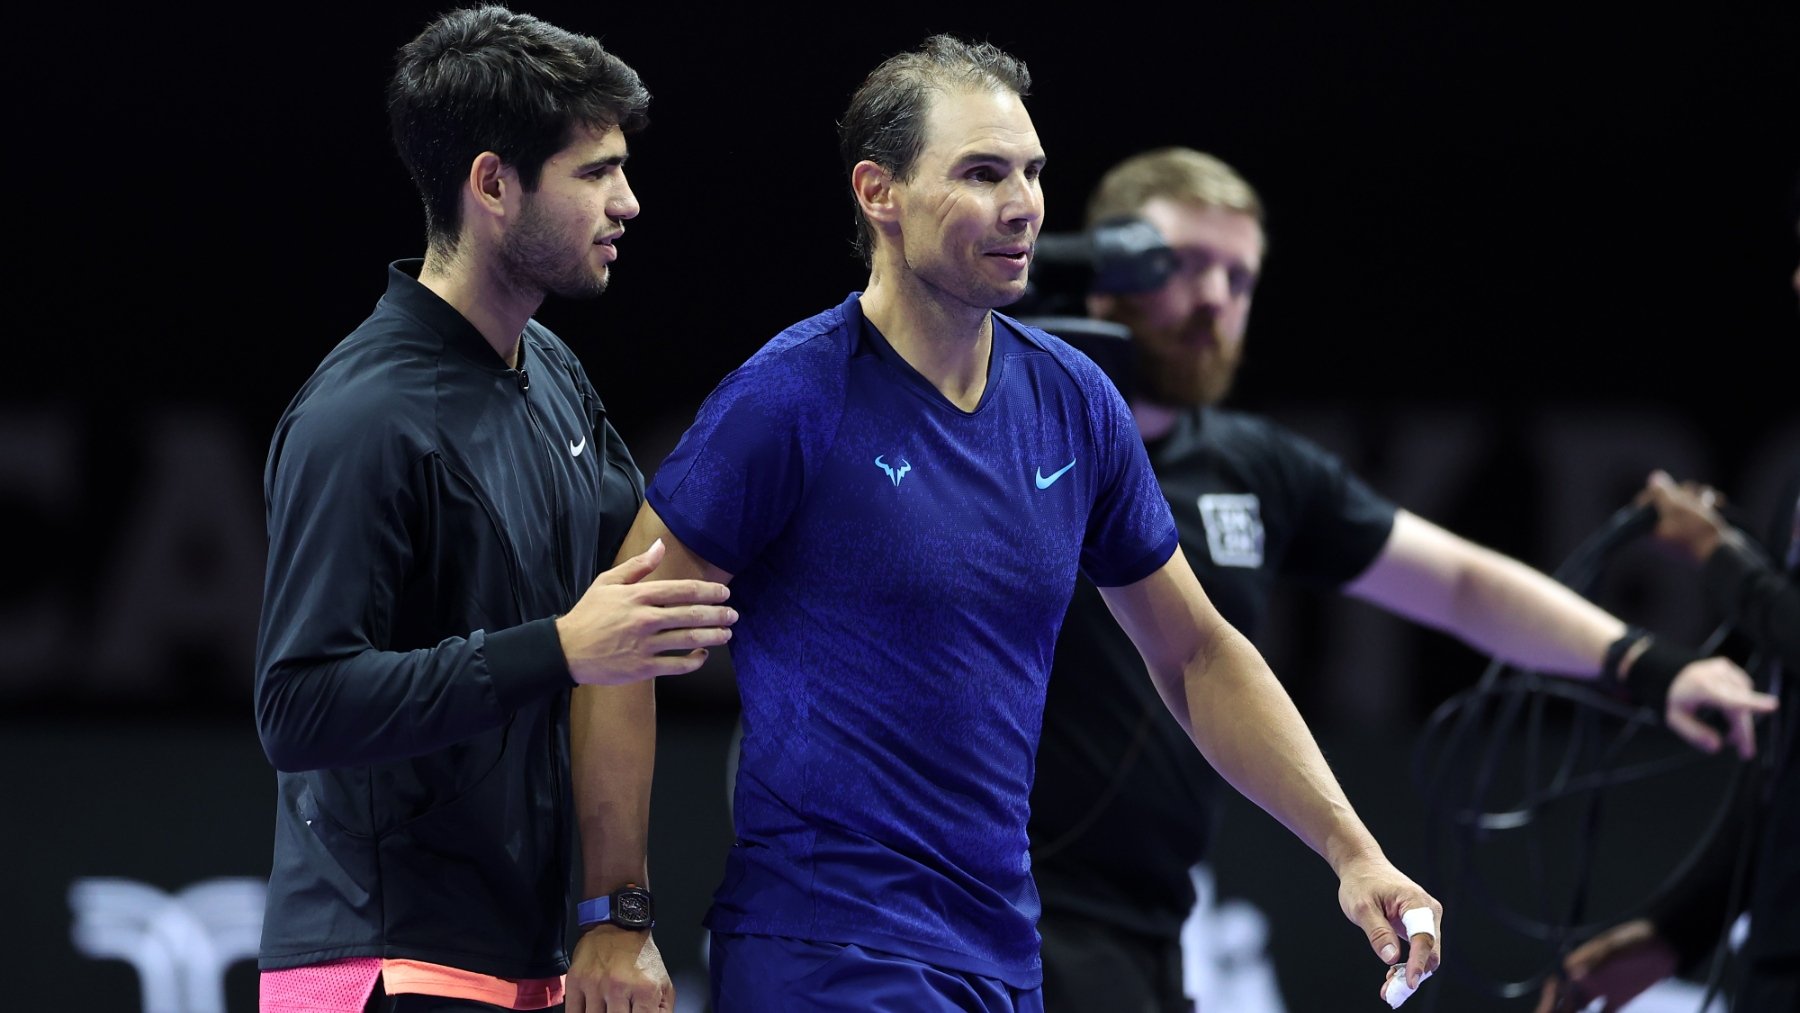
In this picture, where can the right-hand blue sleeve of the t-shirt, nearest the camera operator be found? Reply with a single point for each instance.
(1131, 532)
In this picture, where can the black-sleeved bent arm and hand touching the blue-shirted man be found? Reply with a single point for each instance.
(341, 578)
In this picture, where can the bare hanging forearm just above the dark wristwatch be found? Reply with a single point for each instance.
(613, 748)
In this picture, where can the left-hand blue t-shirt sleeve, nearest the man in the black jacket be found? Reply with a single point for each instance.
(739, 472)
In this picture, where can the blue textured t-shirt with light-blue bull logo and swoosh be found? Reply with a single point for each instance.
(901, 568)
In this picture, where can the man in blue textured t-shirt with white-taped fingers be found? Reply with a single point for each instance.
(903, 492)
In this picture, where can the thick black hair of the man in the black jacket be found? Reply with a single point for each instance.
(489, 80)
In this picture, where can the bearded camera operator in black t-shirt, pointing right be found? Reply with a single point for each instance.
(1254, 505)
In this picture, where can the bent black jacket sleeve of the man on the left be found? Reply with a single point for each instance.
(345, 499)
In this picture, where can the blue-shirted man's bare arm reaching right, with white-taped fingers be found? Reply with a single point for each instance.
(1241, 717)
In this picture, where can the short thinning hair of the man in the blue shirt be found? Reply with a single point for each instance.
(886, 118)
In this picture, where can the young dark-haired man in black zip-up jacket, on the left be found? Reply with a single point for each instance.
(442, 496)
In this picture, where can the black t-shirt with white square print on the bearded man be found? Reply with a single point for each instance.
(1124, 805)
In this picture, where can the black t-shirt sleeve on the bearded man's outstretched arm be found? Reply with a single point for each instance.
(1340, 523)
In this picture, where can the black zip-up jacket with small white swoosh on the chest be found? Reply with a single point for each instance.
(431, 512)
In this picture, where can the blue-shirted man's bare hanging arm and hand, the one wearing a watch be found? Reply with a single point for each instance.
(613, 760)
